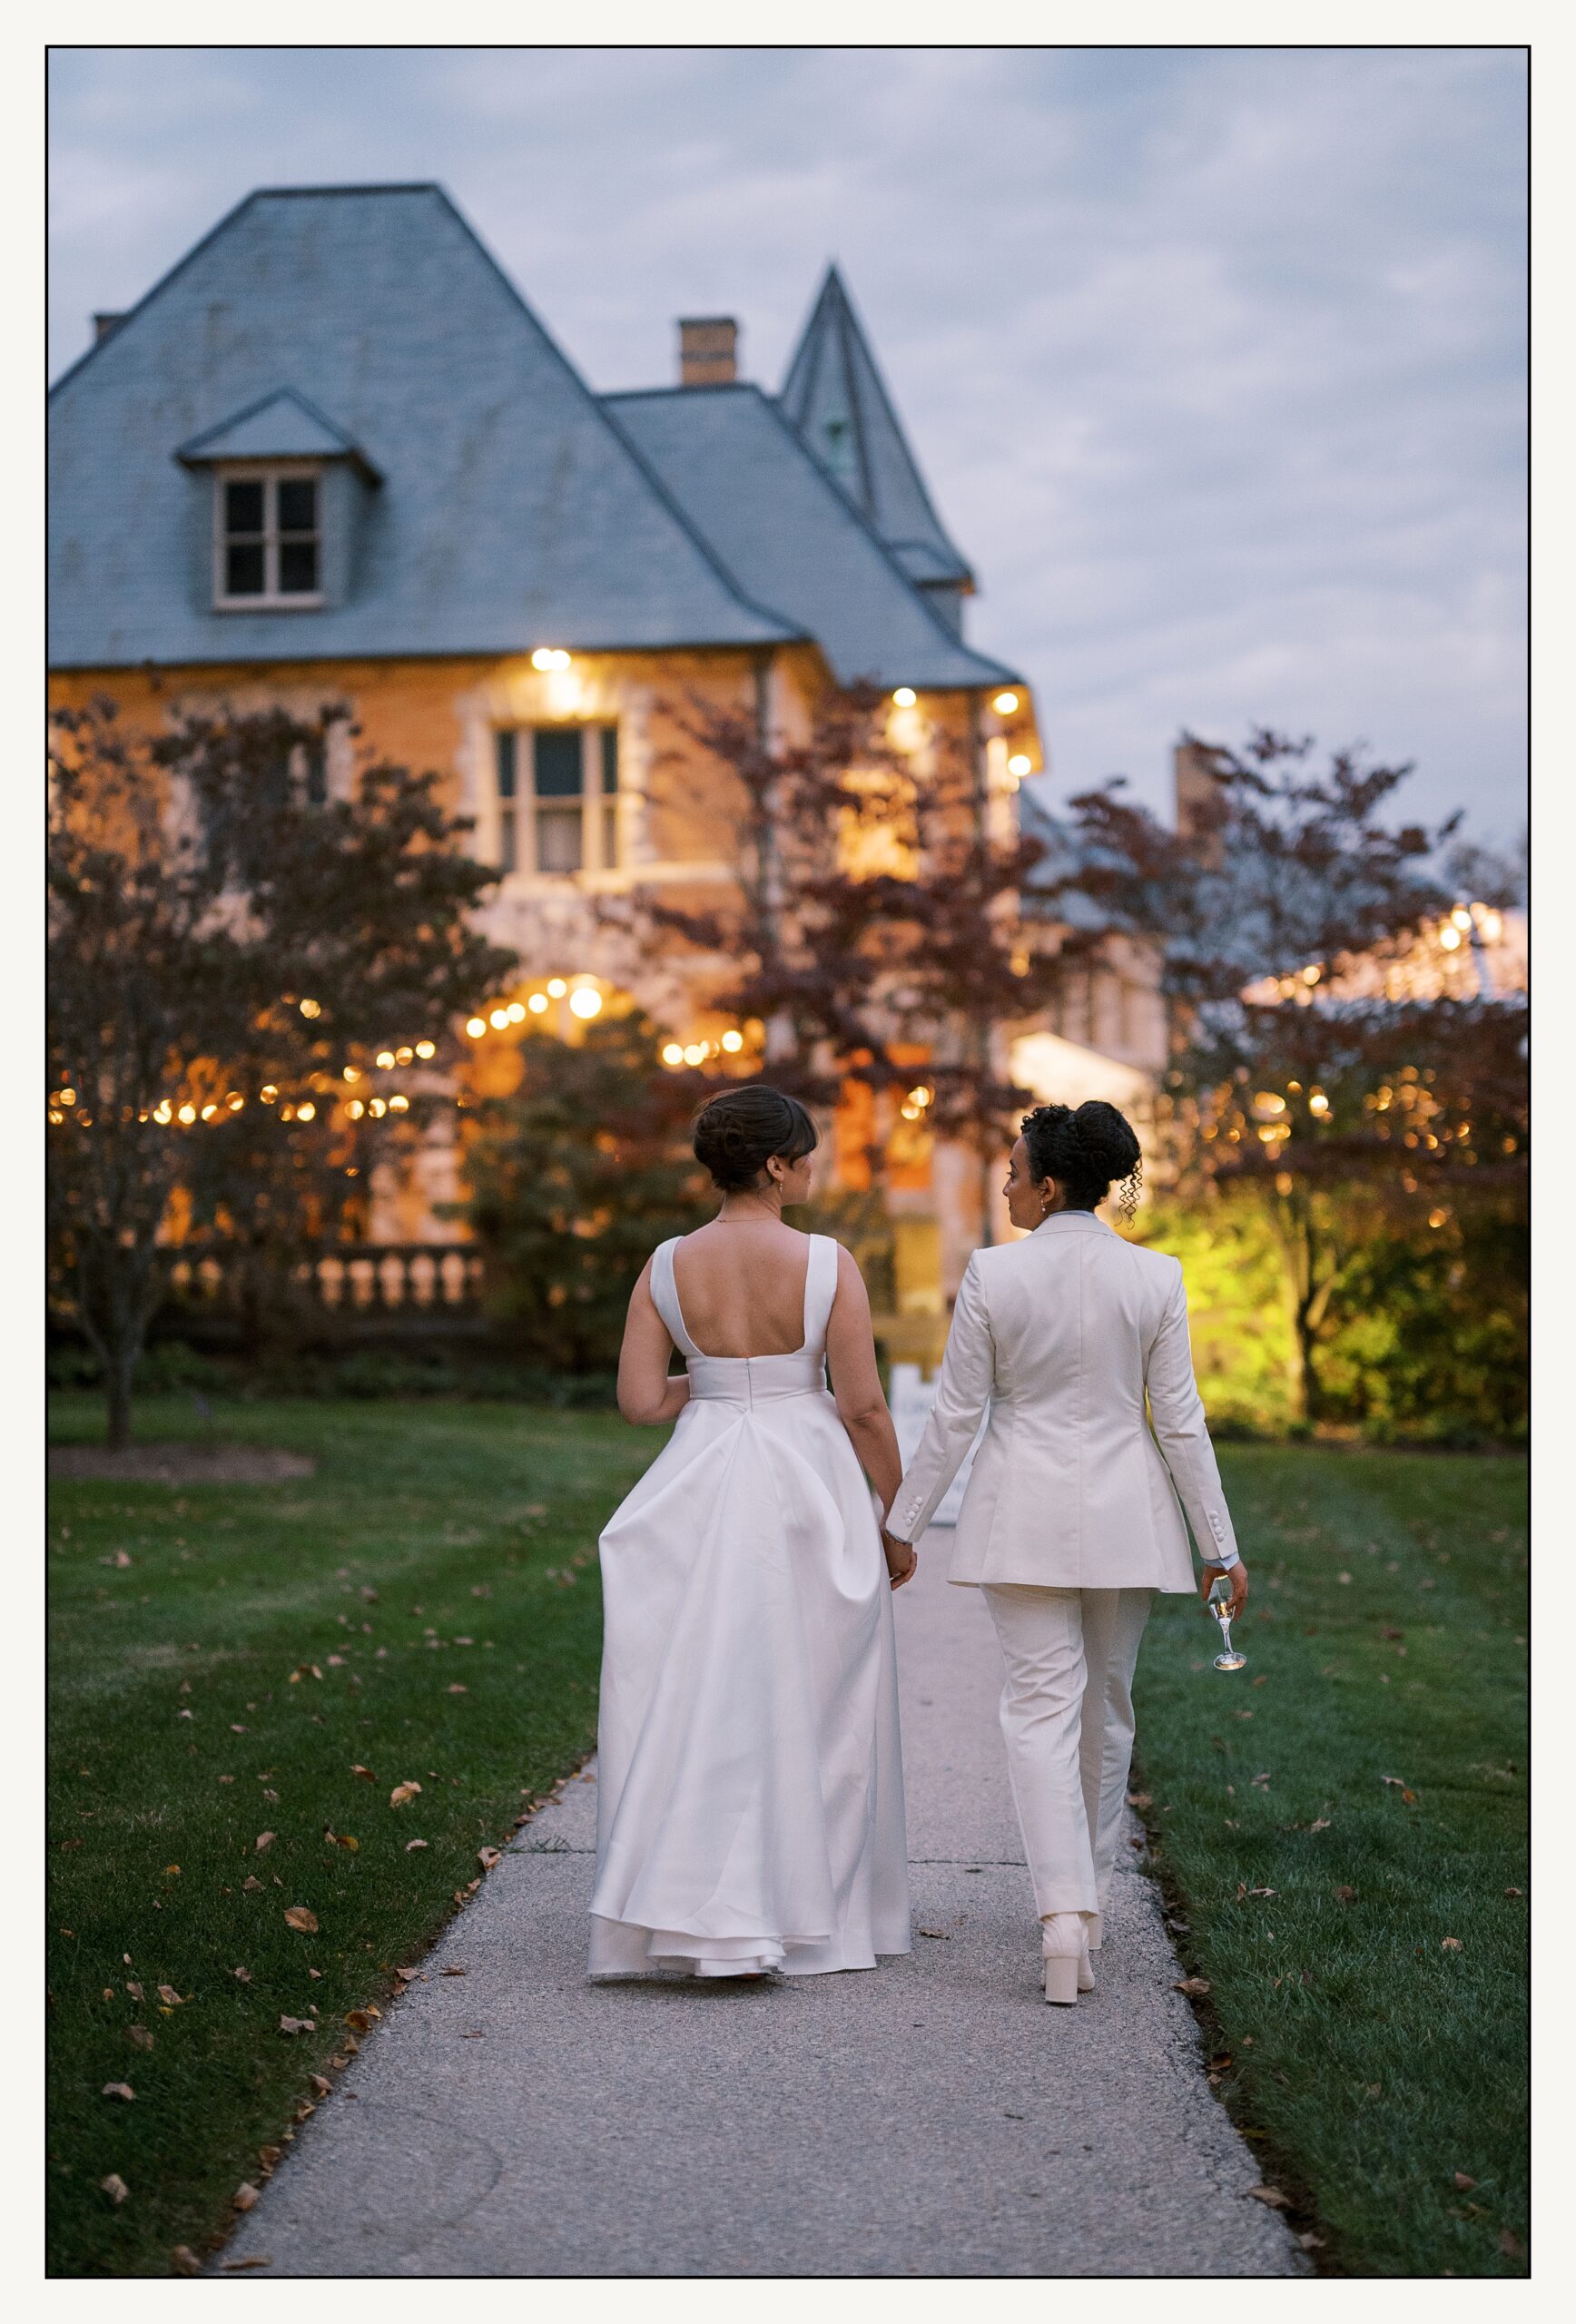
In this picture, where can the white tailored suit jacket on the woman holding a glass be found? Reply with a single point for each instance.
(1063, 1335)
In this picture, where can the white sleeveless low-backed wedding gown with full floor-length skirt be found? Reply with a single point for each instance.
(750, 1781)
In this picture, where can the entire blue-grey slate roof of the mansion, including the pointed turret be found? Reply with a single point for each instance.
(501, 505)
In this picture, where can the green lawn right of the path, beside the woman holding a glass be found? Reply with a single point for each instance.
(1342, 1828)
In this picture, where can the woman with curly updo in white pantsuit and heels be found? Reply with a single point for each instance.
(1073, 1519)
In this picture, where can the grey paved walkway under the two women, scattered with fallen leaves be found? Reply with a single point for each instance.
(926, 2118)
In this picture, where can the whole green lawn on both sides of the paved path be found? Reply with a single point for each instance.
(1387, 1640)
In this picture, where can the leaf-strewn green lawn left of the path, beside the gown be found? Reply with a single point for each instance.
(436, 1591)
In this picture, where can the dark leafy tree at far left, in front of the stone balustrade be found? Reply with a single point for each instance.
(224, 942)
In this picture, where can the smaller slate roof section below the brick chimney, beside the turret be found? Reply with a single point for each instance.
(794, 538)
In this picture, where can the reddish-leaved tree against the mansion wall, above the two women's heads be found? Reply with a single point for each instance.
(873, 919)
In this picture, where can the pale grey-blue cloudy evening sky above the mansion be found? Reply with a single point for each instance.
(1215, 359)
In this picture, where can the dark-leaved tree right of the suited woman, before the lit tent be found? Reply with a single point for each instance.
(1338, 1054)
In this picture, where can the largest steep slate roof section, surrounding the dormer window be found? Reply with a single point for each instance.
(513, 515)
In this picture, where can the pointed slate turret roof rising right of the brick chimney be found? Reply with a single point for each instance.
(838, 401)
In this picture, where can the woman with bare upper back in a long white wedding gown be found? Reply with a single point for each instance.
(750, 1779)
